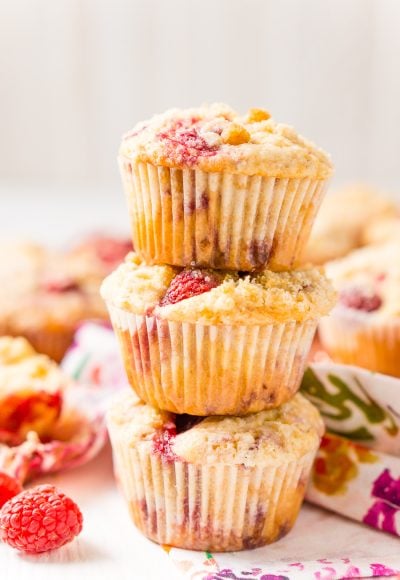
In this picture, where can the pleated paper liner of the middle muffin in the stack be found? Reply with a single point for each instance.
(212, 370)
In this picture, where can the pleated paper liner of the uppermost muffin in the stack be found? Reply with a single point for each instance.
(220, 220)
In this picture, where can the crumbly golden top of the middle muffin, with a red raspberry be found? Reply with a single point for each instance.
(217, 297)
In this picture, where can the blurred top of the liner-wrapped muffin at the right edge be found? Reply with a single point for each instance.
(368, 281)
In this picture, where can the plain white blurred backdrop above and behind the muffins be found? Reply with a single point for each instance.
(76, 74)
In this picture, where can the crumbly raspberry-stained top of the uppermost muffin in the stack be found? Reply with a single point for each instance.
(215, 138)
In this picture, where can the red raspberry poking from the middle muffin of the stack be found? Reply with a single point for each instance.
(187, 284)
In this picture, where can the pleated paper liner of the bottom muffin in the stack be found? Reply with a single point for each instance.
(208, 507)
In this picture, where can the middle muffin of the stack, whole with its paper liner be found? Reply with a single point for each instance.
(211, 342)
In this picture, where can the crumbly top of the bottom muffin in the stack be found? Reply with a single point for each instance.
(268, 437)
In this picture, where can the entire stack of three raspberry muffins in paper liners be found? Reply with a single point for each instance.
(215, 323)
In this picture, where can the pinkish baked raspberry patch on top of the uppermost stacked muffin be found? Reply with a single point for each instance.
(184, 143)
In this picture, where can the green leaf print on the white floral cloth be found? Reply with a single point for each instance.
(338, 405)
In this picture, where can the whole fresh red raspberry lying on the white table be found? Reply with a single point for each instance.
(39, 519)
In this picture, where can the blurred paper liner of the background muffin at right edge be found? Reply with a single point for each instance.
(350, 338)
